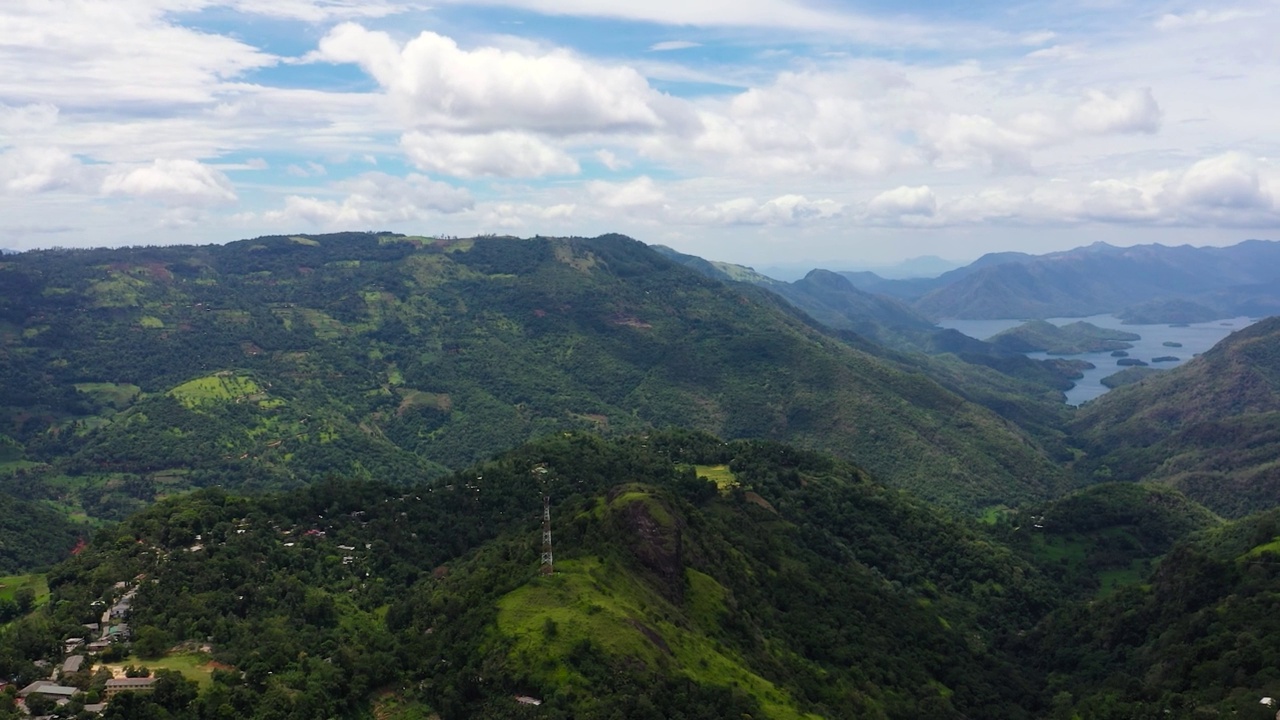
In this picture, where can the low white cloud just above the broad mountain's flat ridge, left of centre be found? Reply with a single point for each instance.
(376, 199)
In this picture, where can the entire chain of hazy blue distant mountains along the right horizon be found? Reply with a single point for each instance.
(1142, 285)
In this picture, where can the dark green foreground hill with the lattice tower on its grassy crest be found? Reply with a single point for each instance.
(799, 590)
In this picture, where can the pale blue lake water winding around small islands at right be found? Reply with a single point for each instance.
(1196, 339)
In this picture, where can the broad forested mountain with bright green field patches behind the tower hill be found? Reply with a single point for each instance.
(135, 373)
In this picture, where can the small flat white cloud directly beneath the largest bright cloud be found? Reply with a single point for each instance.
(497, 154)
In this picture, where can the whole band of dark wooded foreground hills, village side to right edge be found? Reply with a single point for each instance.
(693, 578)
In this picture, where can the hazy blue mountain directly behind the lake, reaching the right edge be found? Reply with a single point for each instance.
(1156, 281)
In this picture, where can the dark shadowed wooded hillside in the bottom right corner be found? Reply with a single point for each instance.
(1197, 640)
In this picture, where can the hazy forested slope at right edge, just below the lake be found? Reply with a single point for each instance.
(1210, 427)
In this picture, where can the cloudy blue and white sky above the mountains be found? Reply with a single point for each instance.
(756, 131)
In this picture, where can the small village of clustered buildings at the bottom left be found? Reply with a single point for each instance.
(83, 681)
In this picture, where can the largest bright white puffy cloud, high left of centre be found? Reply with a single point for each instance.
(441, 85)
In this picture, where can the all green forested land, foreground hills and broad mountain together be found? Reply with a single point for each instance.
(312, 471)
